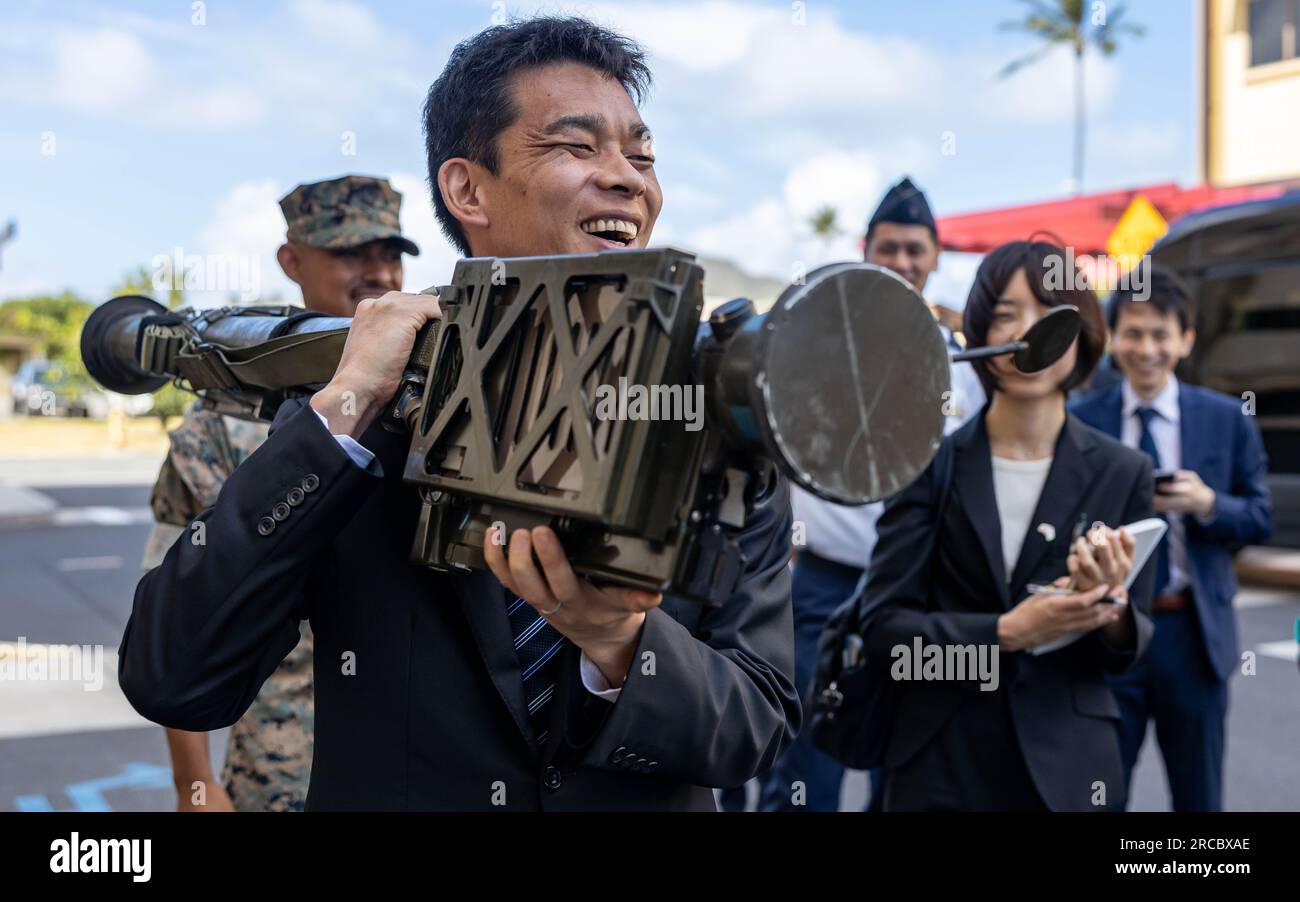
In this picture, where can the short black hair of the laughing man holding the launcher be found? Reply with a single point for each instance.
(471, 103)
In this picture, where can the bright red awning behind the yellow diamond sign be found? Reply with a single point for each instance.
(1086, 223)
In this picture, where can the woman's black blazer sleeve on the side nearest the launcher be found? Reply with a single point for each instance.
(898, 592)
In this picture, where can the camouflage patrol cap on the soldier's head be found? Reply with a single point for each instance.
(345, 213)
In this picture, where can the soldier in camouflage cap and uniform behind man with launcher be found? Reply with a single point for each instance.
(270, 754)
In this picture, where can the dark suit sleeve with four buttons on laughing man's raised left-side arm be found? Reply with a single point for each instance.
(222, 612)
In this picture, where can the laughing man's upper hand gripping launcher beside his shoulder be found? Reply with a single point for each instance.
(378, 350)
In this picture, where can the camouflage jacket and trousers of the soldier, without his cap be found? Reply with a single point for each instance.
(270, 754)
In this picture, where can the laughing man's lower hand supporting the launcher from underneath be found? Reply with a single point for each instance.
(605, 623)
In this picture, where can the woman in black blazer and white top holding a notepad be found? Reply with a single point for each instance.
(951, 578)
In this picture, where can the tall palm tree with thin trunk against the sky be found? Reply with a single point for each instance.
(1081, 27)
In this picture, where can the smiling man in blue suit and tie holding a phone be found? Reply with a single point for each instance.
(1216, 501)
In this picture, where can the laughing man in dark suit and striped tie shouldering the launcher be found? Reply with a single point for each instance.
(526, 688)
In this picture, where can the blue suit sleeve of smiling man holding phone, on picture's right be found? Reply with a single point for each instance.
(1243, 515)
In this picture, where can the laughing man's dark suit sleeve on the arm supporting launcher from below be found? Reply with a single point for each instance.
(720, 709)
